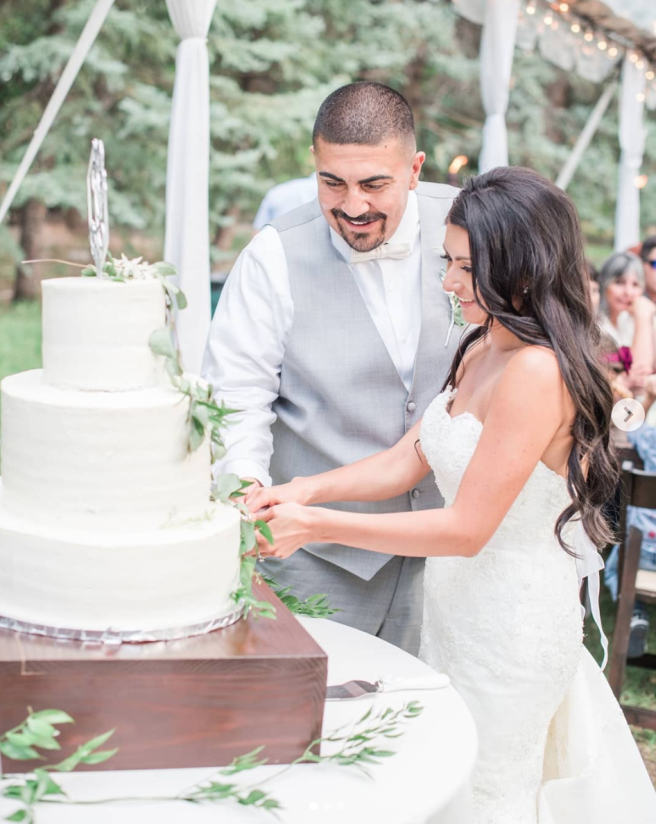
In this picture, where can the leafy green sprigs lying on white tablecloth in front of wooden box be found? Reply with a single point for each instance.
(358, 745)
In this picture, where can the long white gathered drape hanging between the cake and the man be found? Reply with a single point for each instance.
(187, 244)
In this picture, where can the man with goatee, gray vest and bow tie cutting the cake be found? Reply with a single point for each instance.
(331, 334)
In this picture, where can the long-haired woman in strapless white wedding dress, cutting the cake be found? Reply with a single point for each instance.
(519, 444)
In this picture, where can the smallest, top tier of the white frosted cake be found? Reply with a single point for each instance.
(96, 332)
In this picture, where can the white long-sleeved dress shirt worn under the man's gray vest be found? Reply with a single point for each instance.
(251, 326)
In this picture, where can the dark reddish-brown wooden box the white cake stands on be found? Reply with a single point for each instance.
(190, 703)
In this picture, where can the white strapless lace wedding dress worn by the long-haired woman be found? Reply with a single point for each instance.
(506, 627)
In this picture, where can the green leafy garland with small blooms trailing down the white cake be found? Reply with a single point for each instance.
(206, 420)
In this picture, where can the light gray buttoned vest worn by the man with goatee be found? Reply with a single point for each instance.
(341, 398)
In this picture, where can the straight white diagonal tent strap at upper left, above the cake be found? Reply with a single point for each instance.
(75, 61)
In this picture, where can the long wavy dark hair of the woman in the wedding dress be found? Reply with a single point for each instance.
(526, 246)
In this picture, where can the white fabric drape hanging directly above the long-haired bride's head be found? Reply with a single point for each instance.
(497, 47)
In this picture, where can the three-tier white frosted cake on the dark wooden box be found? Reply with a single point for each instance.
(106, 523)
